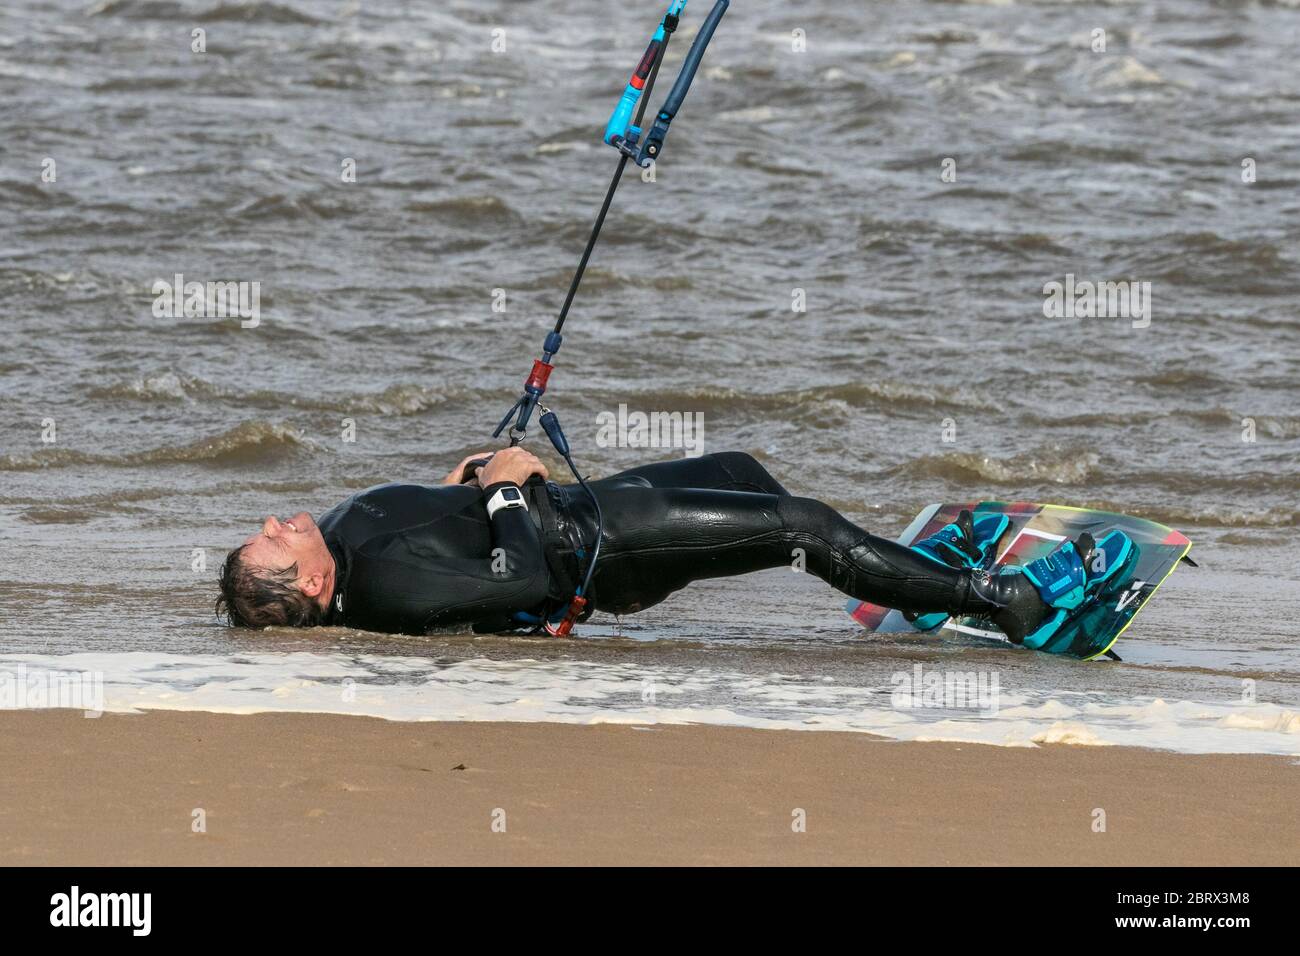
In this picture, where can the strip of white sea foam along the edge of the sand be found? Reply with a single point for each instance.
(411, 689)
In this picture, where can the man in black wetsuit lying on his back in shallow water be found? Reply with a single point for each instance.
(506, 547)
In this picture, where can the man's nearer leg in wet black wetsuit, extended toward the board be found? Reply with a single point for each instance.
(658, 540)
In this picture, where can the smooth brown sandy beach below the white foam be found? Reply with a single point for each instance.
(311, 789)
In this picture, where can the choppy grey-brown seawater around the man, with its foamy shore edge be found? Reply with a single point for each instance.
(135, 449)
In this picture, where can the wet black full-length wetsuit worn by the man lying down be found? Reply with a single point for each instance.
(415, 559)
